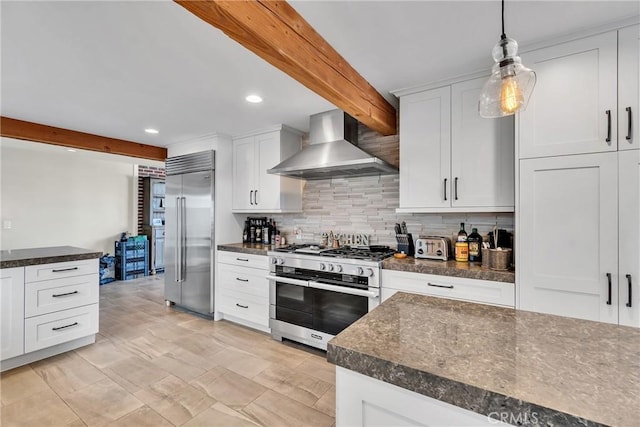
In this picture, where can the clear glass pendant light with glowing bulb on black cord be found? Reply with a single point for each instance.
(510, 86)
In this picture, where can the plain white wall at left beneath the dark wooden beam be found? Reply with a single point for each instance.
(54, 197)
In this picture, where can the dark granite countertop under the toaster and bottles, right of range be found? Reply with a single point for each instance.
(448, 268)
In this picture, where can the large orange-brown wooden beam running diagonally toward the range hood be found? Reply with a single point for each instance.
(274, 31)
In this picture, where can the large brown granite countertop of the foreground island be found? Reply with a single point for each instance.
(488, 359)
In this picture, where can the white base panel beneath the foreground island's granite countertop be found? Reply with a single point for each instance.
(368, 402)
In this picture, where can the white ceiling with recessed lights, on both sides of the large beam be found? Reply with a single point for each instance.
(114, 68)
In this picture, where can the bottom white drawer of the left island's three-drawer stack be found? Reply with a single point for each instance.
(56, 328)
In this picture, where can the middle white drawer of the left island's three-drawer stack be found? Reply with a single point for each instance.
(60, 294)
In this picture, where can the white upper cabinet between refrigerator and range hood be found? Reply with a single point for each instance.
(254, 190)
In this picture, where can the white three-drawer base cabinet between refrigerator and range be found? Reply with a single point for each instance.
(243, 289)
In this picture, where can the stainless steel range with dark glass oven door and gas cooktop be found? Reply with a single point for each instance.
(316, 292)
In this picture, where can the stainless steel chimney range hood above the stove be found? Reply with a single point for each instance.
(332, 151)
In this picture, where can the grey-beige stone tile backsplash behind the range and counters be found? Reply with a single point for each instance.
(367, 205)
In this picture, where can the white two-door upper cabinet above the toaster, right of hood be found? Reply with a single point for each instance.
(451, 159)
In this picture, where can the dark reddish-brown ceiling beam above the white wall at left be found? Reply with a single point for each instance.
(19, 129)
